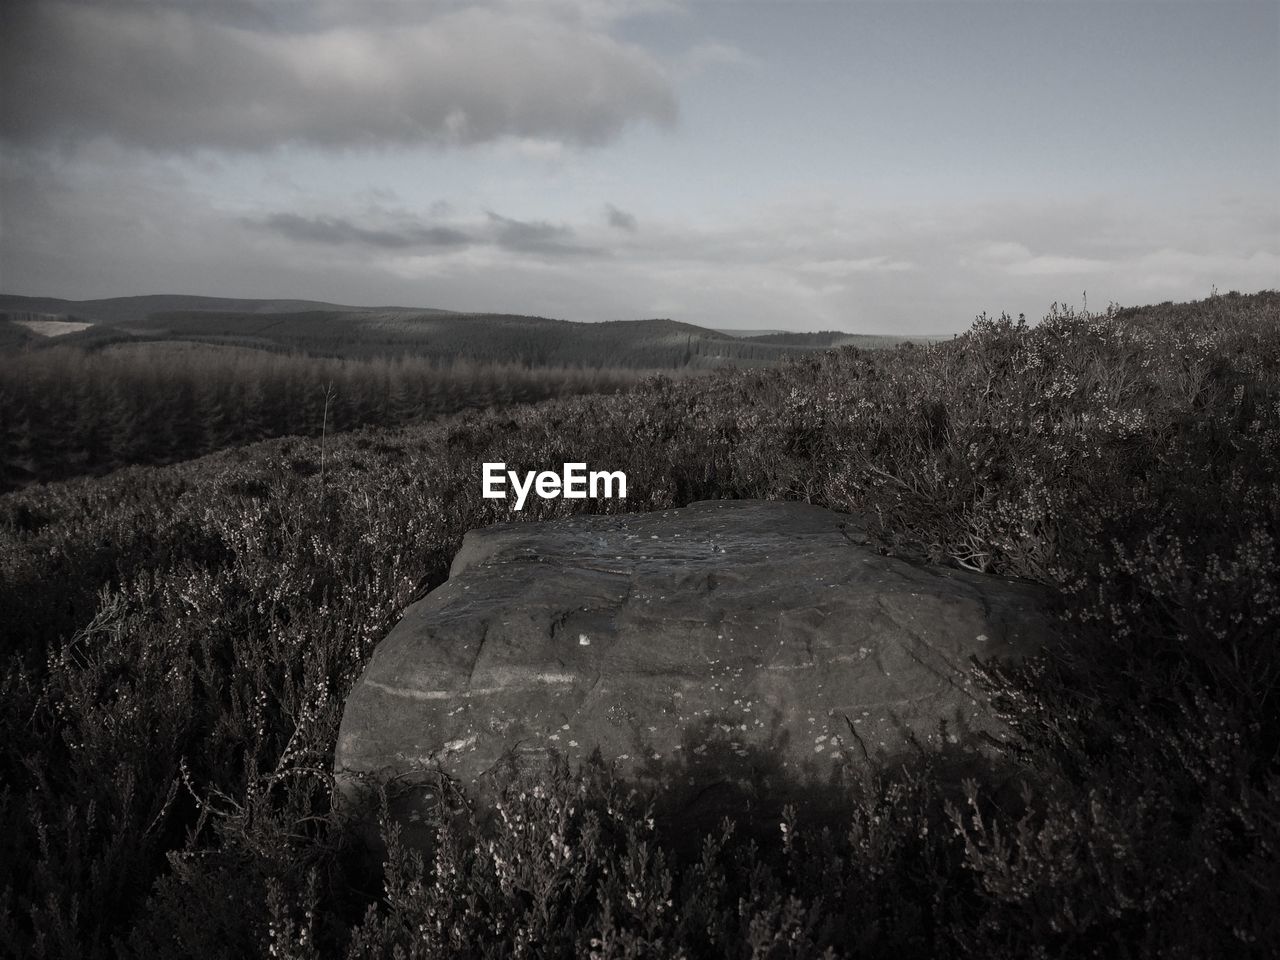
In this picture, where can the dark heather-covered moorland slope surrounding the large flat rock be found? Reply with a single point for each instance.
(180, 641)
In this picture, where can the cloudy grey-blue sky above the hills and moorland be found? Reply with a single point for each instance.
(894, 167)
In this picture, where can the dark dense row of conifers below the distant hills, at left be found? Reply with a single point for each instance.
(67, 413)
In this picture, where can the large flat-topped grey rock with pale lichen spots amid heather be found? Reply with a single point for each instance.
(703, 643)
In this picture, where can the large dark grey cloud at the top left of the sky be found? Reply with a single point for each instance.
(246, 79)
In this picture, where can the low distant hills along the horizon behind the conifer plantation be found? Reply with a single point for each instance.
(339, 331)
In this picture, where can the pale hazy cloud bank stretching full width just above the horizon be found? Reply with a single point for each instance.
(109, 222)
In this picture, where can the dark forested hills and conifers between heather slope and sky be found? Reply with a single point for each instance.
(166, 380)
